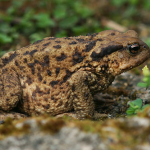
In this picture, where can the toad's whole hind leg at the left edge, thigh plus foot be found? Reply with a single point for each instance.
(10, 94)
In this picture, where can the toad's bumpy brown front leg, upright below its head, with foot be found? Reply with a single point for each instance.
(81, 84)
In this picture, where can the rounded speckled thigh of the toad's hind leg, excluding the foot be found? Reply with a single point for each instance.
(10, 90)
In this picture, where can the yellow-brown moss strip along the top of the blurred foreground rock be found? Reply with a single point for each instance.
(118, 131)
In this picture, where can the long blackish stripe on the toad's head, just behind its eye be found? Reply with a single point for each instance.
(105, 51)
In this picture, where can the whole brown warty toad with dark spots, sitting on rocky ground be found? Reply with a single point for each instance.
(60, 75)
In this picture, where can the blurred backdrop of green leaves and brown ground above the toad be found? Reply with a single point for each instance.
(24, 21)
